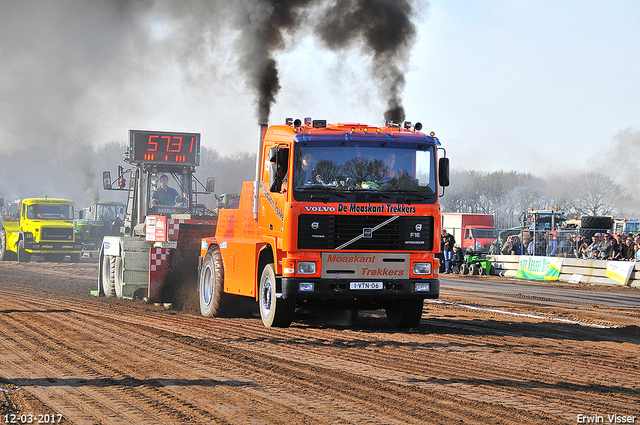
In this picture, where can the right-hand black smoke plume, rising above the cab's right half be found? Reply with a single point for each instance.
(381, 28)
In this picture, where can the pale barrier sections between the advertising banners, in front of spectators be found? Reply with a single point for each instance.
(573, 270)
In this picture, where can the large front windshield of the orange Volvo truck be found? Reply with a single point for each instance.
(392, 168)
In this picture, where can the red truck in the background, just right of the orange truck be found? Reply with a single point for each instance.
(471, 231)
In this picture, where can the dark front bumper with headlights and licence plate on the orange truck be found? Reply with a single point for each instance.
(345, 290)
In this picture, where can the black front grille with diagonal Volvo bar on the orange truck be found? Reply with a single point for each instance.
(365, 232)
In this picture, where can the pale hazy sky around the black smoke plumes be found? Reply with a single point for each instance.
(533, 86)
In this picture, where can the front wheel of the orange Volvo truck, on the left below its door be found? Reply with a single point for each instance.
(275, 312)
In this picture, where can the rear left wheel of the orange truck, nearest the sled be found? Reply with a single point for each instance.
(214, 302)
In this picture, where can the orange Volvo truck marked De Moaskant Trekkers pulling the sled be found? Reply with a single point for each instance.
(341, 216)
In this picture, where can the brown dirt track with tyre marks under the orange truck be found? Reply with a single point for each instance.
(96, 360)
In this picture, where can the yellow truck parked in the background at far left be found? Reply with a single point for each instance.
(45, 227)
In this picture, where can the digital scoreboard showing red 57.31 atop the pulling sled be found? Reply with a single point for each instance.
(162, 147)
